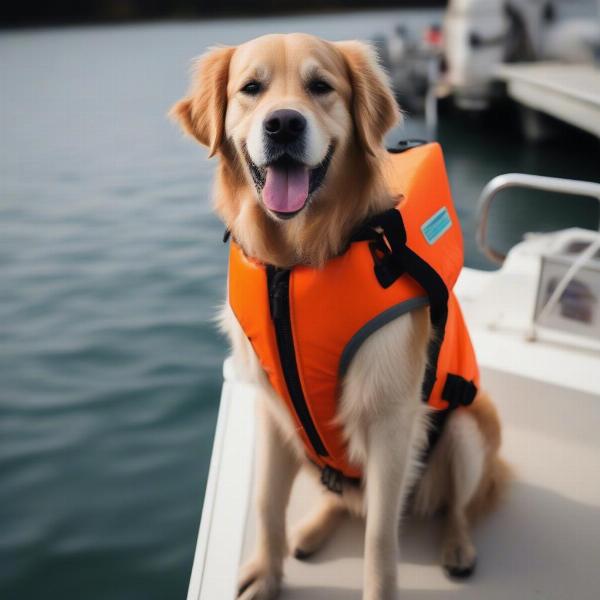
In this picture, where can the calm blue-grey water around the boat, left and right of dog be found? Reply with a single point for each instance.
(111, 267)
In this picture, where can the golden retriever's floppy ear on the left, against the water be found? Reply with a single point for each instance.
(201, 113)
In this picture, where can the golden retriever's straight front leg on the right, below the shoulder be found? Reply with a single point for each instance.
(390, 467)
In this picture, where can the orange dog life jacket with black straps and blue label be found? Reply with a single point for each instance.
(306, 324)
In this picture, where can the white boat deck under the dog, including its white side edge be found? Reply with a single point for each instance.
(544, 542)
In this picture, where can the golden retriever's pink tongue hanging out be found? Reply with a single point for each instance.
(286, 188)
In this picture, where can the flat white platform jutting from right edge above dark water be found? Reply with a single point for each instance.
(569, 92)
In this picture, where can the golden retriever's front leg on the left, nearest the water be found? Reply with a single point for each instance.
(276, 469)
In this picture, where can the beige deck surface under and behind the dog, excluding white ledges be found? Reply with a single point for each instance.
(542, 543)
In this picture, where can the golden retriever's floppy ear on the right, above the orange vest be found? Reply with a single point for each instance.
(374, 108)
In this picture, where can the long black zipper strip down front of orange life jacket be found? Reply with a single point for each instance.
(279, 303)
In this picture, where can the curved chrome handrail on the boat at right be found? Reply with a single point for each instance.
(520, 180)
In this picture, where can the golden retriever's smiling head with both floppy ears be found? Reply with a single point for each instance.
(295, 113)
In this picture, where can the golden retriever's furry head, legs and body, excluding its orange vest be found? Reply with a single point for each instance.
(297, 124)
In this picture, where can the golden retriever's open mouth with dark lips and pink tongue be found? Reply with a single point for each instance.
(286, 184)
